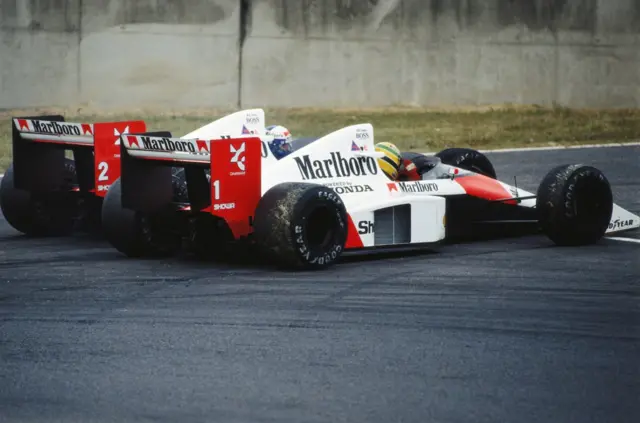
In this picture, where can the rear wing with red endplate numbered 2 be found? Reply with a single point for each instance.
(39, 144)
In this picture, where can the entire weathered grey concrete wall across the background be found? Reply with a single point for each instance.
(186, 53)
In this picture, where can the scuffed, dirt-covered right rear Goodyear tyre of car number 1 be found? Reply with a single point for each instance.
(301, 225)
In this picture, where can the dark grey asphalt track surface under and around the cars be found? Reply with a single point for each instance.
(505, 331)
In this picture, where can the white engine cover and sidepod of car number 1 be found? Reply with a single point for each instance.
(364, 188)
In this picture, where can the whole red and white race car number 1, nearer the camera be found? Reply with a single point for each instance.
(306, 209)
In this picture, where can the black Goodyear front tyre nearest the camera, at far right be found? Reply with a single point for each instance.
(574, 205)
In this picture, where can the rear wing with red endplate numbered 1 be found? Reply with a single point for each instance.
(232, 192)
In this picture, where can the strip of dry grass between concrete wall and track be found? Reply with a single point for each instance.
(416, 129)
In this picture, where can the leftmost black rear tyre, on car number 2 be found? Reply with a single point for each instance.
(51, 214)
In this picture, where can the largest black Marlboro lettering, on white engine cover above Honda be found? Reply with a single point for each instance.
(335, 166)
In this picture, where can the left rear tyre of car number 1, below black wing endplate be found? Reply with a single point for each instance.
(133, 233)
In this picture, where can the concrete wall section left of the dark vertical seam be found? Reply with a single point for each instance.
(119, 53)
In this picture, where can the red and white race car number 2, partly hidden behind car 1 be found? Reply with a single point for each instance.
(45, 193)
